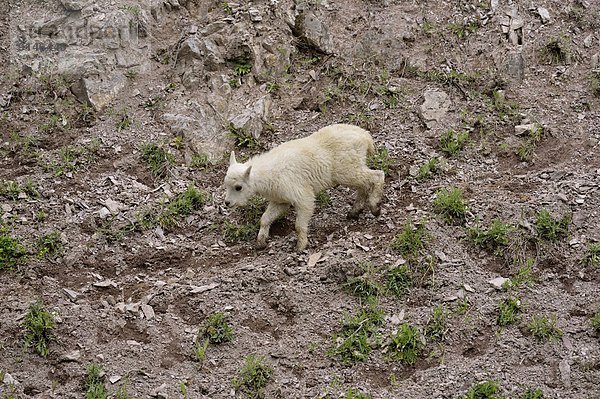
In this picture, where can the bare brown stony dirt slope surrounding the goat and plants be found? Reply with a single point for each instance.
(134, 305)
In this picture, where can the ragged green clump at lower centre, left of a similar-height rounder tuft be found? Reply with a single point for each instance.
(353, 341)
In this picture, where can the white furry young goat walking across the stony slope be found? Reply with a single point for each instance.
(294, 172)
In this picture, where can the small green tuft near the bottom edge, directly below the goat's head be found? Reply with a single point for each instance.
(253, 377)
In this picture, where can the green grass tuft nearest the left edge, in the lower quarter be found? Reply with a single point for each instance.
(38, 324)
